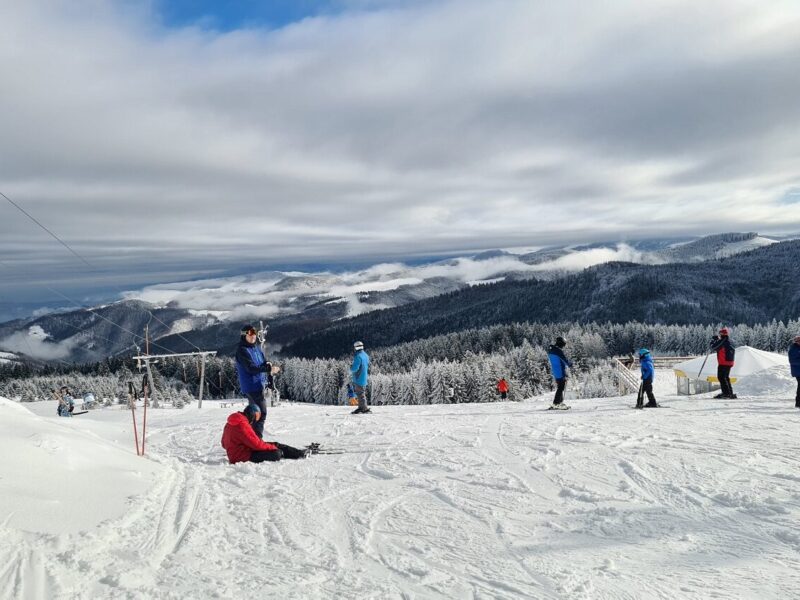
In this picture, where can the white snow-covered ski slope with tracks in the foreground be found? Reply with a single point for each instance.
(500, 500)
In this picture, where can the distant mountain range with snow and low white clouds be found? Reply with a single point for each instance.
(206, 312)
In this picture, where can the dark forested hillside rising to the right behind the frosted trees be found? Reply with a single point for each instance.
(754, 287)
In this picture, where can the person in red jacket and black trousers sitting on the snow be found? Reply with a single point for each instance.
(243, 445)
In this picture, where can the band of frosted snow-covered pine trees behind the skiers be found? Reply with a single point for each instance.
(420, 372)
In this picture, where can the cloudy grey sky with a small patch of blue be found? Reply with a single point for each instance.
(169, 140)
